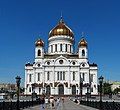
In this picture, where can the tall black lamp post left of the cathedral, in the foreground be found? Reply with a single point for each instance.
(18, 90)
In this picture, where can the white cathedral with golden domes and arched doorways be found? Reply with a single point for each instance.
(60, 71)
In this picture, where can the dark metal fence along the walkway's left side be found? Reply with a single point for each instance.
(13, 105)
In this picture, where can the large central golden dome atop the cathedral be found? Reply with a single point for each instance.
(61, 29)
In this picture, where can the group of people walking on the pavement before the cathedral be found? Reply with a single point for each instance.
(50, 102)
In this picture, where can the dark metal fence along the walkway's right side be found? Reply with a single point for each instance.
(102, 105)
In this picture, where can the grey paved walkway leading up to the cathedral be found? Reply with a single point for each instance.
(67, 105)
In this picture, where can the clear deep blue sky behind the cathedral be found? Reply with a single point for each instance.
(22, 22)
